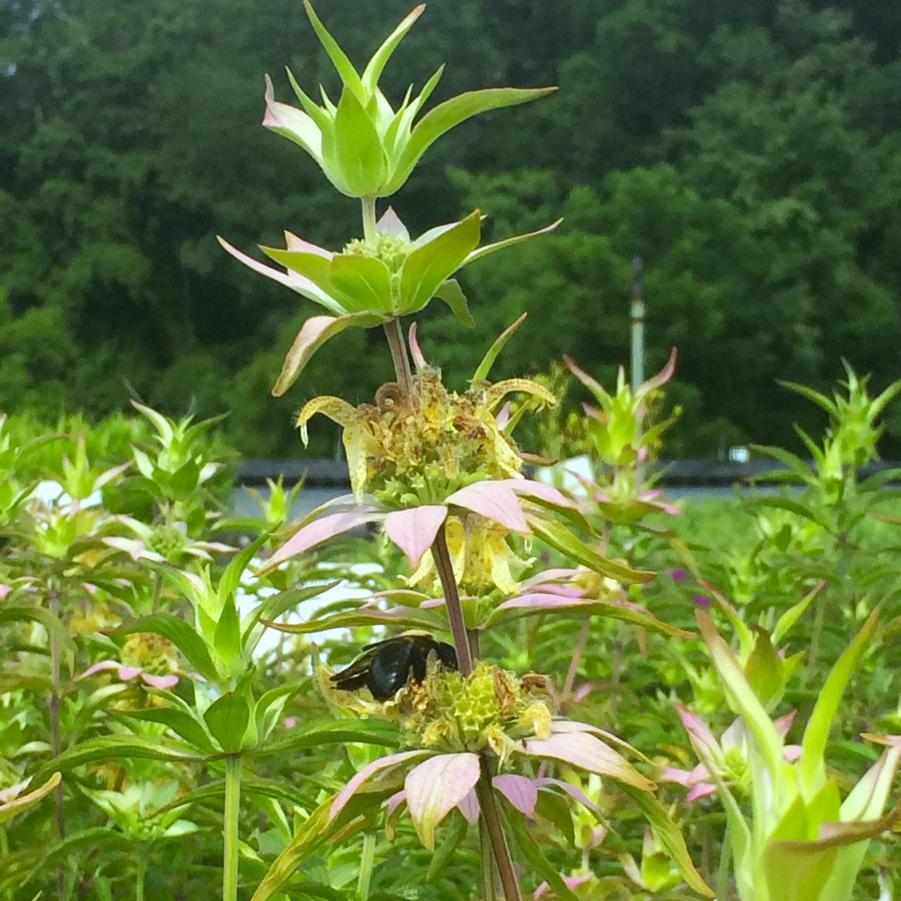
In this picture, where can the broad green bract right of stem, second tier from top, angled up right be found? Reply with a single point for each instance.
(427, 267)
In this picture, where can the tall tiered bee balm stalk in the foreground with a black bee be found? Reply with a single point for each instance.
(440, 472)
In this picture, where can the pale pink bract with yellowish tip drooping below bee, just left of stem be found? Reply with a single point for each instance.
(435, 787)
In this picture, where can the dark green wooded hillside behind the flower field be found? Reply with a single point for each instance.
(748, 151)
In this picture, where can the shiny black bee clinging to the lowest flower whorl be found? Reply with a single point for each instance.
(386, 666)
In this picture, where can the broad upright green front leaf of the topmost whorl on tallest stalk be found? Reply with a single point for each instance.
(354, 149)
